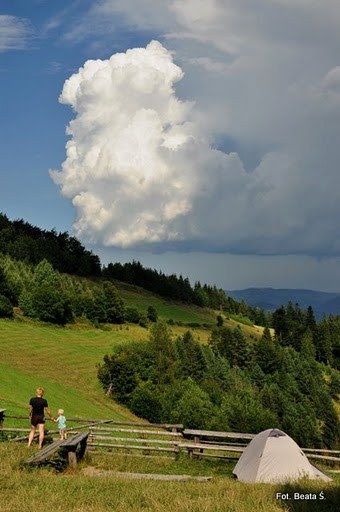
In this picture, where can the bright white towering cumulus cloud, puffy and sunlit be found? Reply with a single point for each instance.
(139, 169)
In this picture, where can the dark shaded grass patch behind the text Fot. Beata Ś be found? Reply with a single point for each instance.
(302, 498)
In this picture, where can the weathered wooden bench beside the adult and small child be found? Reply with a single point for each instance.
(69, 446)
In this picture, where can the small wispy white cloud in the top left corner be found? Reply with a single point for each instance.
(14, 33)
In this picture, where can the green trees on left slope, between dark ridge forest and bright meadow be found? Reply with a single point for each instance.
(42, 292)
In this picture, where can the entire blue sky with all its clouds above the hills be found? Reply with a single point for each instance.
(199, 137)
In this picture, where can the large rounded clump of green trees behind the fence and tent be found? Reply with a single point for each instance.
(227, 385)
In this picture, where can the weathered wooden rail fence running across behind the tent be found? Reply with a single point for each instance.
(145, 439)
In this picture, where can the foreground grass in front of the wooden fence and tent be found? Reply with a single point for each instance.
(96, 486)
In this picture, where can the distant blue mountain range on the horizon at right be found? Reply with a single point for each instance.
(269, 299)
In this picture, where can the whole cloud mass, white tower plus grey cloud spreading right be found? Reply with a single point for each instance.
(142, 166)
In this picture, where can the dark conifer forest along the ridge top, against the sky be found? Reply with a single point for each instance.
(30, 244)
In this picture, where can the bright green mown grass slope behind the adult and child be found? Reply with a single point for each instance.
(63, 360)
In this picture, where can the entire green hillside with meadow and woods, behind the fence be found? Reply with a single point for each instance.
(70, 332)
